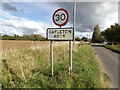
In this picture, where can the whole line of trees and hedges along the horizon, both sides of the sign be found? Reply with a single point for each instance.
(111, 34)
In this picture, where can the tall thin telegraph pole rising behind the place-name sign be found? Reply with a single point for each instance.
(74, 22)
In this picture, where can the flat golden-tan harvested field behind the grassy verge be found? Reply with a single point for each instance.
(14, 45)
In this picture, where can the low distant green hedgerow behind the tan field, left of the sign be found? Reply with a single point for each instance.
(31, 37)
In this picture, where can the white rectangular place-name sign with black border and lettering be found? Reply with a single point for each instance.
(60, 34)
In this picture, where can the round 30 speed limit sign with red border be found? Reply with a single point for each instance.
(60, 17)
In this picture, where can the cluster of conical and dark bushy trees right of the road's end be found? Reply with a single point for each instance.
(111, 34)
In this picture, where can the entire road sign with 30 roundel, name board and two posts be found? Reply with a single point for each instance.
(60, 18)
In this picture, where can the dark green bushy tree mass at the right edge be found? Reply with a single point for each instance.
(112, 34)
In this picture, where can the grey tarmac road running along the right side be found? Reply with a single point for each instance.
(109, 61)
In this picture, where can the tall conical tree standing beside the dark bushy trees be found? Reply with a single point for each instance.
(97, 38)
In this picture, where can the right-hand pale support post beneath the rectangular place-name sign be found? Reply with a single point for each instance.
(70, 58)
